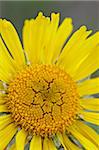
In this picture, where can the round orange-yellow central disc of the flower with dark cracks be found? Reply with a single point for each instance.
(43, 100)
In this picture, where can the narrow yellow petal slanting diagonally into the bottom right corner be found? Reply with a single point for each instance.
(86, 143)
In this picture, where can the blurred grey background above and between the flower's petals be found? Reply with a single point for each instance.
(82, 13)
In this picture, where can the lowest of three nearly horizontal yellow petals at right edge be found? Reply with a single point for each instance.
(90, 117)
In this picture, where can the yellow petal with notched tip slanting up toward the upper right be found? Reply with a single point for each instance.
(72, 45)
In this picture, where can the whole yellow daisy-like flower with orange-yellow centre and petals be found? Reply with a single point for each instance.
(44, 88)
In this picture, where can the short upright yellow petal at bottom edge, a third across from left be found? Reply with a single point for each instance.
(36, 143)
